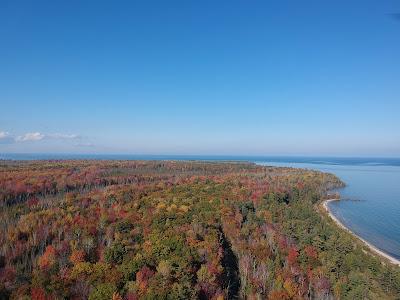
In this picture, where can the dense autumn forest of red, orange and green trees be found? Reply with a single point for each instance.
(177, 230)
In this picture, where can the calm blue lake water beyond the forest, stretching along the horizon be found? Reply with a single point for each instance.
(373, 187)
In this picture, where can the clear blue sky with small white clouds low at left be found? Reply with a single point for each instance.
(200, 77)
